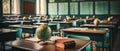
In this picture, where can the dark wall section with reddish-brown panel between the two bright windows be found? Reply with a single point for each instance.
(28, 7)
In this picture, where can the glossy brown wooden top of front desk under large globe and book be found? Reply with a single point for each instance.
(33, 46)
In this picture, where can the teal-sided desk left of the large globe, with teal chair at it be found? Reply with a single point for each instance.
(24, 29)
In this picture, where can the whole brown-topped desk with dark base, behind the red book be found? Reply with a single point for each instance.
(94, 34)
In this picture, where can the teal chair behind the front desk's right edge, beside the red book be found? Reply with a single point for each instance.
(88, 48)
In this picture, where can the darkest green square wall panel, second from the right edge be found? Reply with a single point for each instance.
(101, 7)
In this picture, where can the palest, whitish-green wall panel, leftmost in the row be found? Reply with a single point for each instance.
(52, 8)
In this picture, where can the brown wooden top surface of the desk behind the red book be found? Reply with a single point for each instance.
(85, 30)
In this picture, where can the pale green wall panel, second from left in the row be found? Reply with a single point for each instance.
(63, 8)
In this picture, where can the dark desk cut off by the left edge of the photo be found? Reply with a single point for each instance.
(7, 35)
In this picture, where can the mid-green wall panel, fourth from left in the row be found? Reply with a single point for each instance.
(86, 8)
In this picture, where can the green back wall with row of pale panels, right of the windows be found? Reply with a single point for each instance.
(82, 8)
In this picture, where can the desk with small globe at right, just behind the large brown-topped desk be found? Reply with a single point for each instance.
(113, 30)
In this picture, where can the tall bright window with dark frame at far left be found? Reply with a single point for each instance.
(8, 6)
